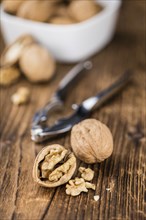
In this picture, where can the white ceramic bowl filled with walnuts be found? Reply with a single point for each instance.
(68, 43)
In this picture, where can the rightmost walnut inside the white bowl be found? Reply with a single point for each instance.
(83, 10)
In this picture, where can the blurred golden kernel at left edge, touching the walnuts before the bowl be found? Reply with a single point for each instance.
(9, 75)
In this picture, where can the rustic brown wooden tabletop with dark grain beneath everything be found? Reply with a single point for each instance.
(123, 172)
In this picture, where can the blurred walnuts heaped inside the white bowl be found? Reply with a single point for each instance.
(53, 11)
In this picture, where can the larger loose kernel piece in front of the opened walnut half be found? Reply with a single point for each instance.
(78, 185)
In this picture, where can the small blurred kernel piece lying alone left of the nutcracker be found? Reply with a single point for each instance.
(21, 96)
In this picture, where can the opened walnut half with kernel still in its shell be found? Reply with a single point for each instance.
(54, 166)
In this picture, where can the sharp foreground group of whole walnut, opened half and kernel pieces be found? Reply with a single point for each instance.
(91, 142)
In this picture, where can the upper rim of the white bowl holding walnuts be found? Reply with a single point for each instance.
(107, 8)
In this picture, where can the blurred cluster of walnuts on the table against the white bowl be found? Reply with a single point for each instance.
(26, 56)
